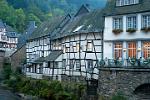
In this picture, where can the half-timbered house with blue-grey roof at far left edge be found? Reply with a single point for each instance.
(8, 38)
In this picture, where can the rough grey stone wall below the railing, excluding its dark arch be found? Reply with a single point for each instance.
(126, 81)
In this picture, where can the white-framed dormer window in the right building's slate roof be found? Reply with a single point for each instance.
(126, 2)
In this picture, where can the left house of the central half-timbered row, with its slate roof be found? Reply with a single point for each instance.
(38, 47)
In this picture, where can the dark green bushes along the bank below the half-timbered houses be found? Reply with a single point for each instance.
(49, 90)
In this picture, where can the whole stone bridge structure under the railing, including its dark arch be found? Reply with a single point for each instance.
(132, 81)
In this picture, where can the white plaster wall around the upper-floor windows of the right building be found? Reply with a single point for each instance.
(138, 35)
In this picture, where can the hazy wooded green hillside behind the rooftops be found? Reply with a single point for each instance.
(17, 13)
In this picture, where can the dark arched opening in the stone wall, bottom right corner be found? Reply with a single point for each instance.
(142, 92)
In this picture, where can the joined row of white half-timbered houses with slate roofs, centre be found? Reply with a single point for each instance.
(73, 47)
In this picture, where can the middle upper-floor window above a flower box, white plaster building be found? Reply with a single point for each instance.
(131, 22)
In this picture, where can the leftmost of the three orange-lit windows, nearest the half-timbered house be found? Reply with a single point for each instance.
(118, 50)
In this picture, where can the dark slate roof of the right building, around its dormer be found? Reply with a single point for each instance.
(111, 9)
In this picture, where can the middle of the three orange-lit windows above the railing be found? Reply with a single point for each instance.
(132, 49)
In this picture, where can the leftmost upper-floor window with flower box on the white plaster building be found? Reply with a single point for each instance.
(117, 23)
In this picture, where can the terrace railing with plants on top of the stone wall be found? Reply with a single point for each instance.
(125, 63)
